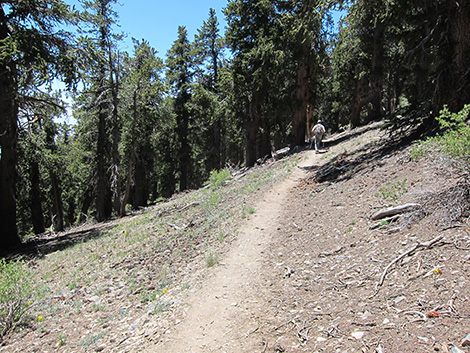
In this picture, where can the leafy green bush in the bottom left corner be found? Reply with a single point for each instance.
(17, 294)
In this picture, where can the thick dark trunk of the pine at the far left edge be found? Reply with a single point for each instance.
(8, 147)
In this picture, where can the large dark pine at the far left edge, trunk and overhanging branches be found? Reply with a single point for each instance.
(32, 53)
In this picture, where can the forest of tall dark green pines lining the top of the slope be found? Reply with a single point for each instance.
(146, 128)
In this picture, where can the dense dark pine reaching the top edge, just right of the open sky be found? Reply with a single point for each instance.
(251, 35)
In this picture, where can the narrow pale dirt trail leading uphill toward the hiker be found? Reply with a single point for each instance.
(216, 309)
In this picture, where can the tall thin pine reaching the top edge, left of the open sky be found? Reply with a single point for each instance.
(101, 80)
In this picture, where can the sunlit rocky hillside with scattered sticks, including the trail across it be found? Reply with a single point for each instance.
(303, 268)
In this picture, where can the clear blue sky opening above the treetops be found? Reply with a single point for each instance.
(157, 21)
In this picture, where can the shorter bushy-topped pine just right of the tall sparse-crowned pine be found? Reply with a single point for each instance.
(143, 91)
